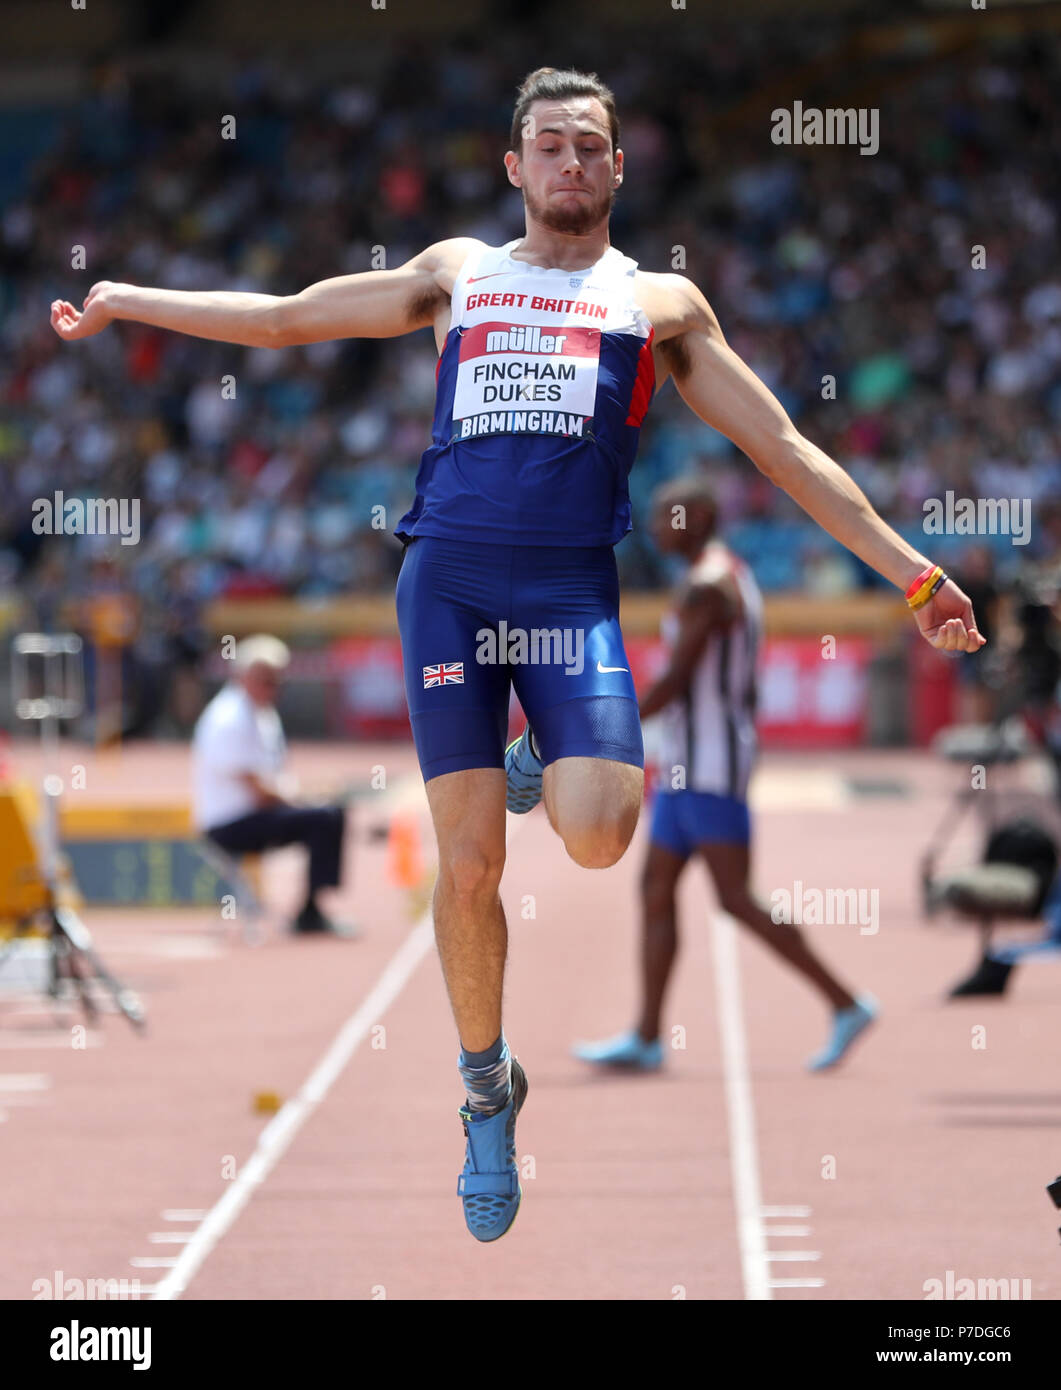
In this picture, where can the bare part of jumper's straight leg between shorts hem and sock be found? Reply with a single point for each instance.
(468, 810)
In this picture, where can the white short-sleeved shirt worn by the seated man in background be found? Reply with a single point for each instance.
(233, 736)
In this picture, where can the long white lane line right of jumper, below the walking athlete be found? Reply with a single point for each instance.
(745, 1160)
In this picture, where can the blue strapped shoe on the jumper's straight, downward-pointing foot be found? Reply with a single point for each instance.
(490, 1185)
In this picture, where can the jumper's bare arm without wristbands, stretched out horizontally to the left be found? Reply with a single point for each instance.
(375, 304)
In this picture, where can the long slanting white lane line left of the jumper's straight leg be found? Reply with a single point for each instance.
(277, 1136)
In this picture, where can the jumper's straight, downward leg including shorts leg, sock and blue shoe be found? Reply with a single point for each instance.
(458, 705)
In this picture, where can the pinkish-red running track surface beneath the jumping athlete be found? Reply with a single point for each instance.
(635, 1188)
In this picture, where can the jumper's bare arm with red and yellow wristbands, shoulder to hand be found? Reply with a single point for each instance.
(727, 394)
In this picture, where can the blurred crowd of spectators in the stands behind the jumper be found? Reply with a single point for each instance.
(821, 263)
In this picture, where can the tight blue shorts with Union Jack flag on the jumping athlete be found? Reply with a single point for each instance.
(478, 621)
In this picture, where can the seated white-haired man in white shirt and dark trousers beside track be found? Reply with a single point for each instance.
(241, 796)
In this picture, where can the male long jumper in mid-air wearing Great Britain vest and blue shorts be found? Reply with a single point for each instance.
(551, 350)
